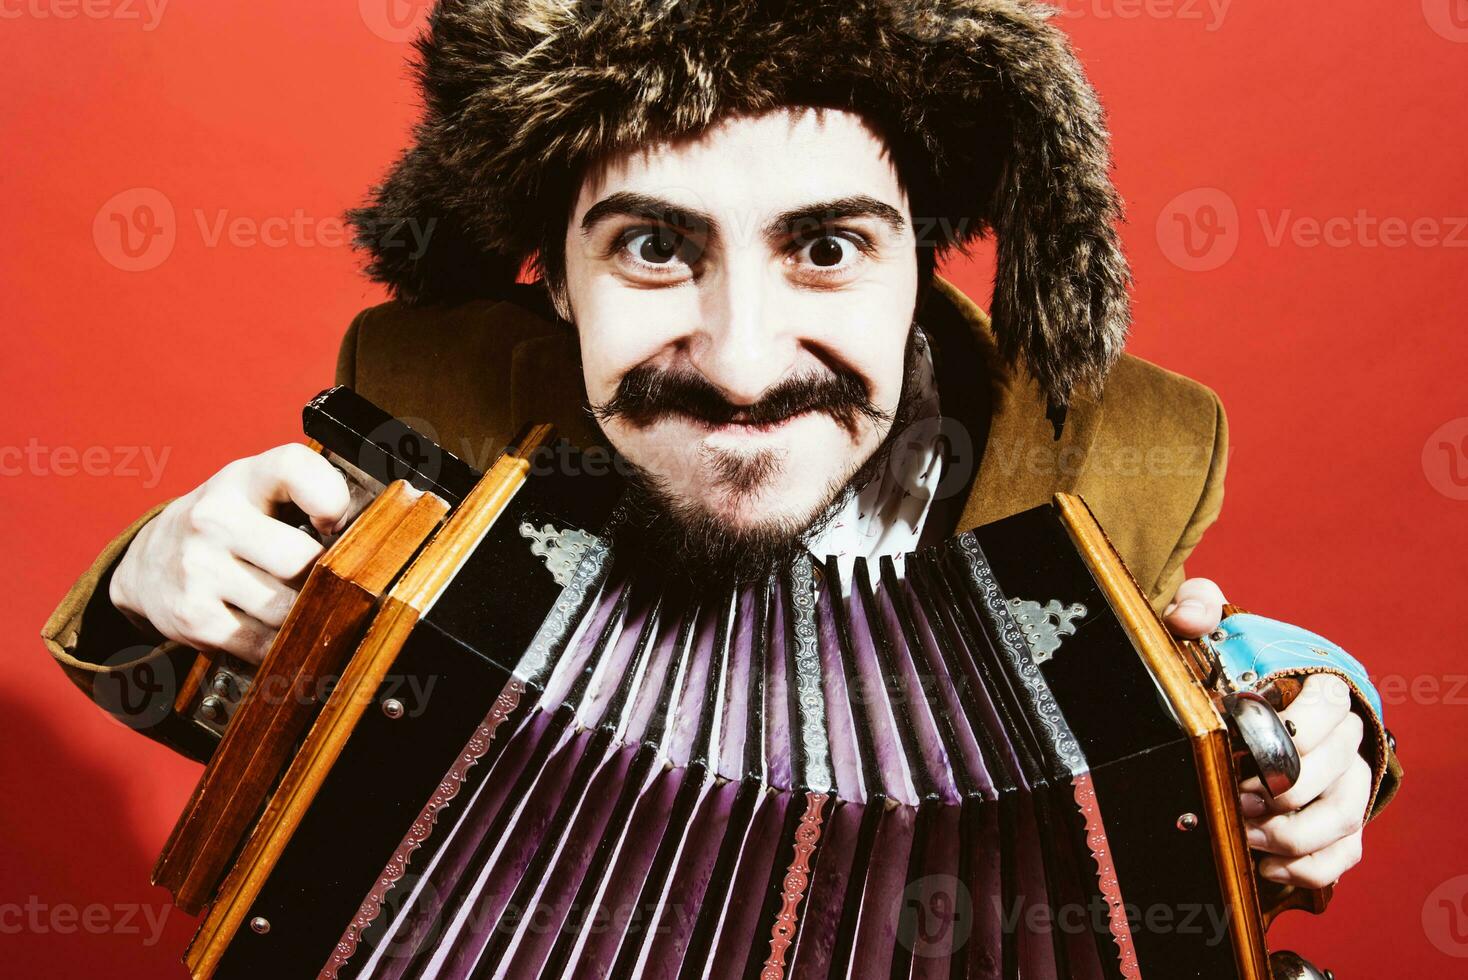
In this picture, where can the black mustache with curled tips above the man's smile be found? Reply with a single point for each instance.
(647, 395)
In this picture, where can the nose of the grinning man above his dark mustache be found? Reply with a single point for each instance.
(744, 344)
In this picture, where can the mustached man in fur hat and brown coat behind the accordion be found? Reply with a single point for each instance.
(736, 212)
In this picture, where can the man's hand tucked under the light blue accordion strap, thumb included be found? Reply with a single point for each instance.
(1313, 833)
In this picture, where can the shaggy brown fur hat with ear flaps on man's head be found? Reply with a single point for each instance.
(990, 118)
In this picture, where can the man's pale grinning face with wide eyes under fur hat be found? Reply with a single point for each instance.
(744, 304)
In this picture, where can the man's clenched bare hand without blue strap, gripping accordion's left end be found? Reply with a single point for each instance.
(217, 570)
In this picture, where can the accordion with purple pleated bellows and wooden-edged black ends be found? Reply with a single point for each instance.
(488, 743)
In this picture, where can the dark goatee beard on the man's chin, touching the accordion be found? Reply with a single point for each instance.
(704, 551)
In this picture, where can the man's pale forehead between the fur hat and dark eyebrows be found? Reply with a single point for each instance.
(757, 165)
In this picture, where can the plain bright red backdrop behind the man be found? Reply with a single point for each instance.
(1338, 365)
